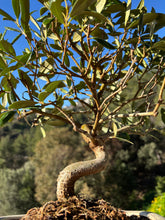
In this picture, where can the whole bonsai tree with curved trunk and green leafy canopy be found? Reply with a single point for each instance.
(101, 59)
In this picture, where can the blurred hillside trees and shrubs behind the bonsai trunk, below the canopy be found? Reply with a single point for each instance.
(29, 167)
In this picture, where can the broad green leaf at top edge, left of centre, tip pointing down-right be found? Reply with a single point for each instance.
(56, 9)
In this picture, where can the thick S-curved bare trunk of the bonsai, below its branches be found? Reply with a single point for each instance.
(71, 173)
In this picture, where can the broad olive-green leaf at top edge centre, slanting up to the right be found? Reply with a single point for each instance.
(80, 6)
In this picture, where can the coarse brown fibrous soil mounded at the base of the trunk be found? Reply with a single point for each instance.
(75, 208)
